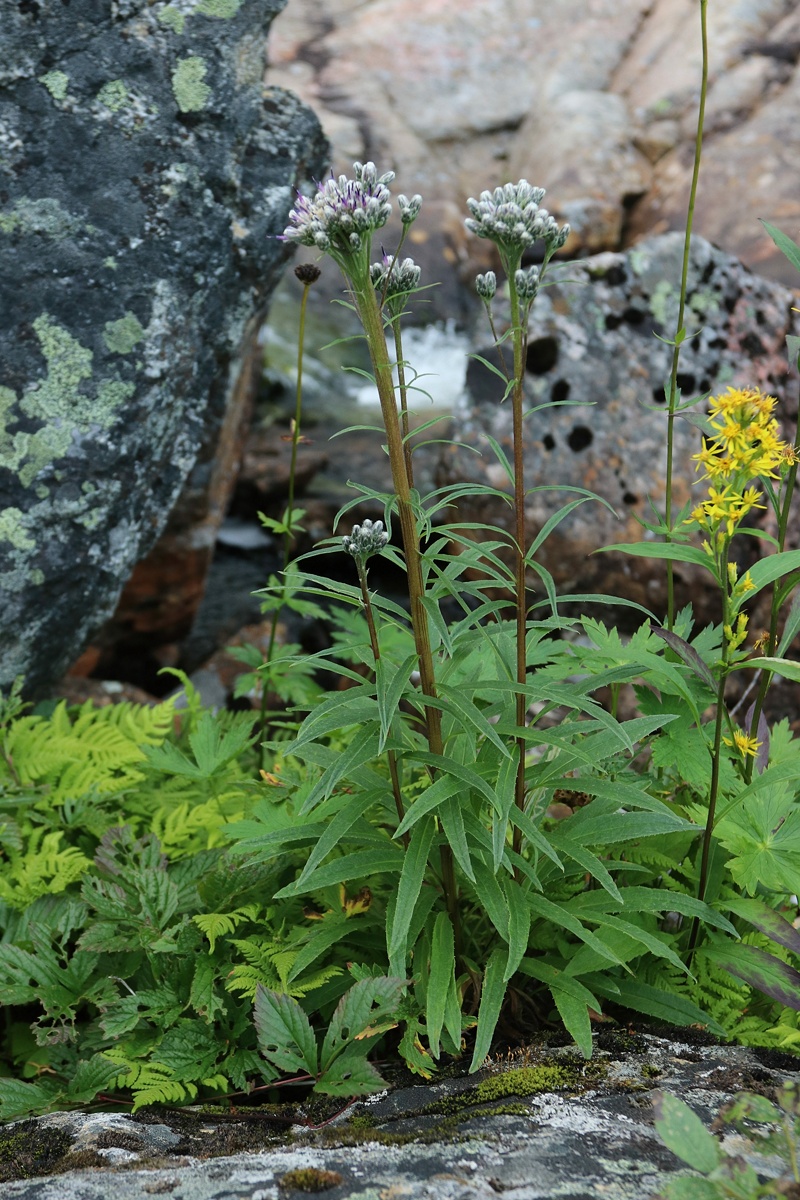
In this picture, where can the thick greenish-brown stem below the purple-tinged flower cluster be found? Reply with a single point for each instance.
(374, 327)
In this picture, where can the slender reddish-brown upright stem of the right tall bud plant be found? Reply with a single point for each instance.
(520, 339)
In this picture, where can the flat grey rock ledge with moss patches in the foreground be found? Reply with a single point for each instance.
(543, 1124)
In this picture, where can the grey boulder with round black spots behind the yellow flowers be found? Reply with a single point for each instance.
(592, 344)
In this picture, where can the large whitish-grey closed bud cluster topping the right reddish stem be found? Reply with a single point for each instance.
(512, 218)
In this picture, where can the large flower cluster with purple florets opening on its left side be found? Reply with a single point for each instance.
(344, 214)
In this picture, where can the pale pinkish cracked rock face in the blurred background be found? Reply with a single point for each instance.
(594, 100)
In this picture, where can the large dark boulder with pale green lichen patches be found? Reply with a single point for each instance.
(145, 176)
